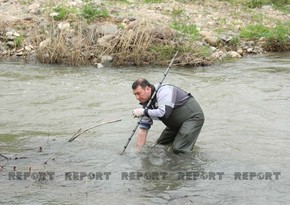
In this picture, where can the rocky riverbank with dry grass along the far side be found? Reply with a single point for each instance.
(133, 33)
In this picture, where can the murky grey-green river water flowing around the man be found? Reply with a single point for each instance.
(241, 156)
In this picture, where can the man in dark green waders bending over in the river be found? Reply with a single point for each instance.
(177, 109)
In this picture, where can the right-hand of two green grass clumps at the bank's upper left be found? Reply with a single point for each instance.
(89, 11)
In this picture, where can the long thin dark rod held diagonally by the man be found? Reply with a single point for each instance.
(149, 103)
